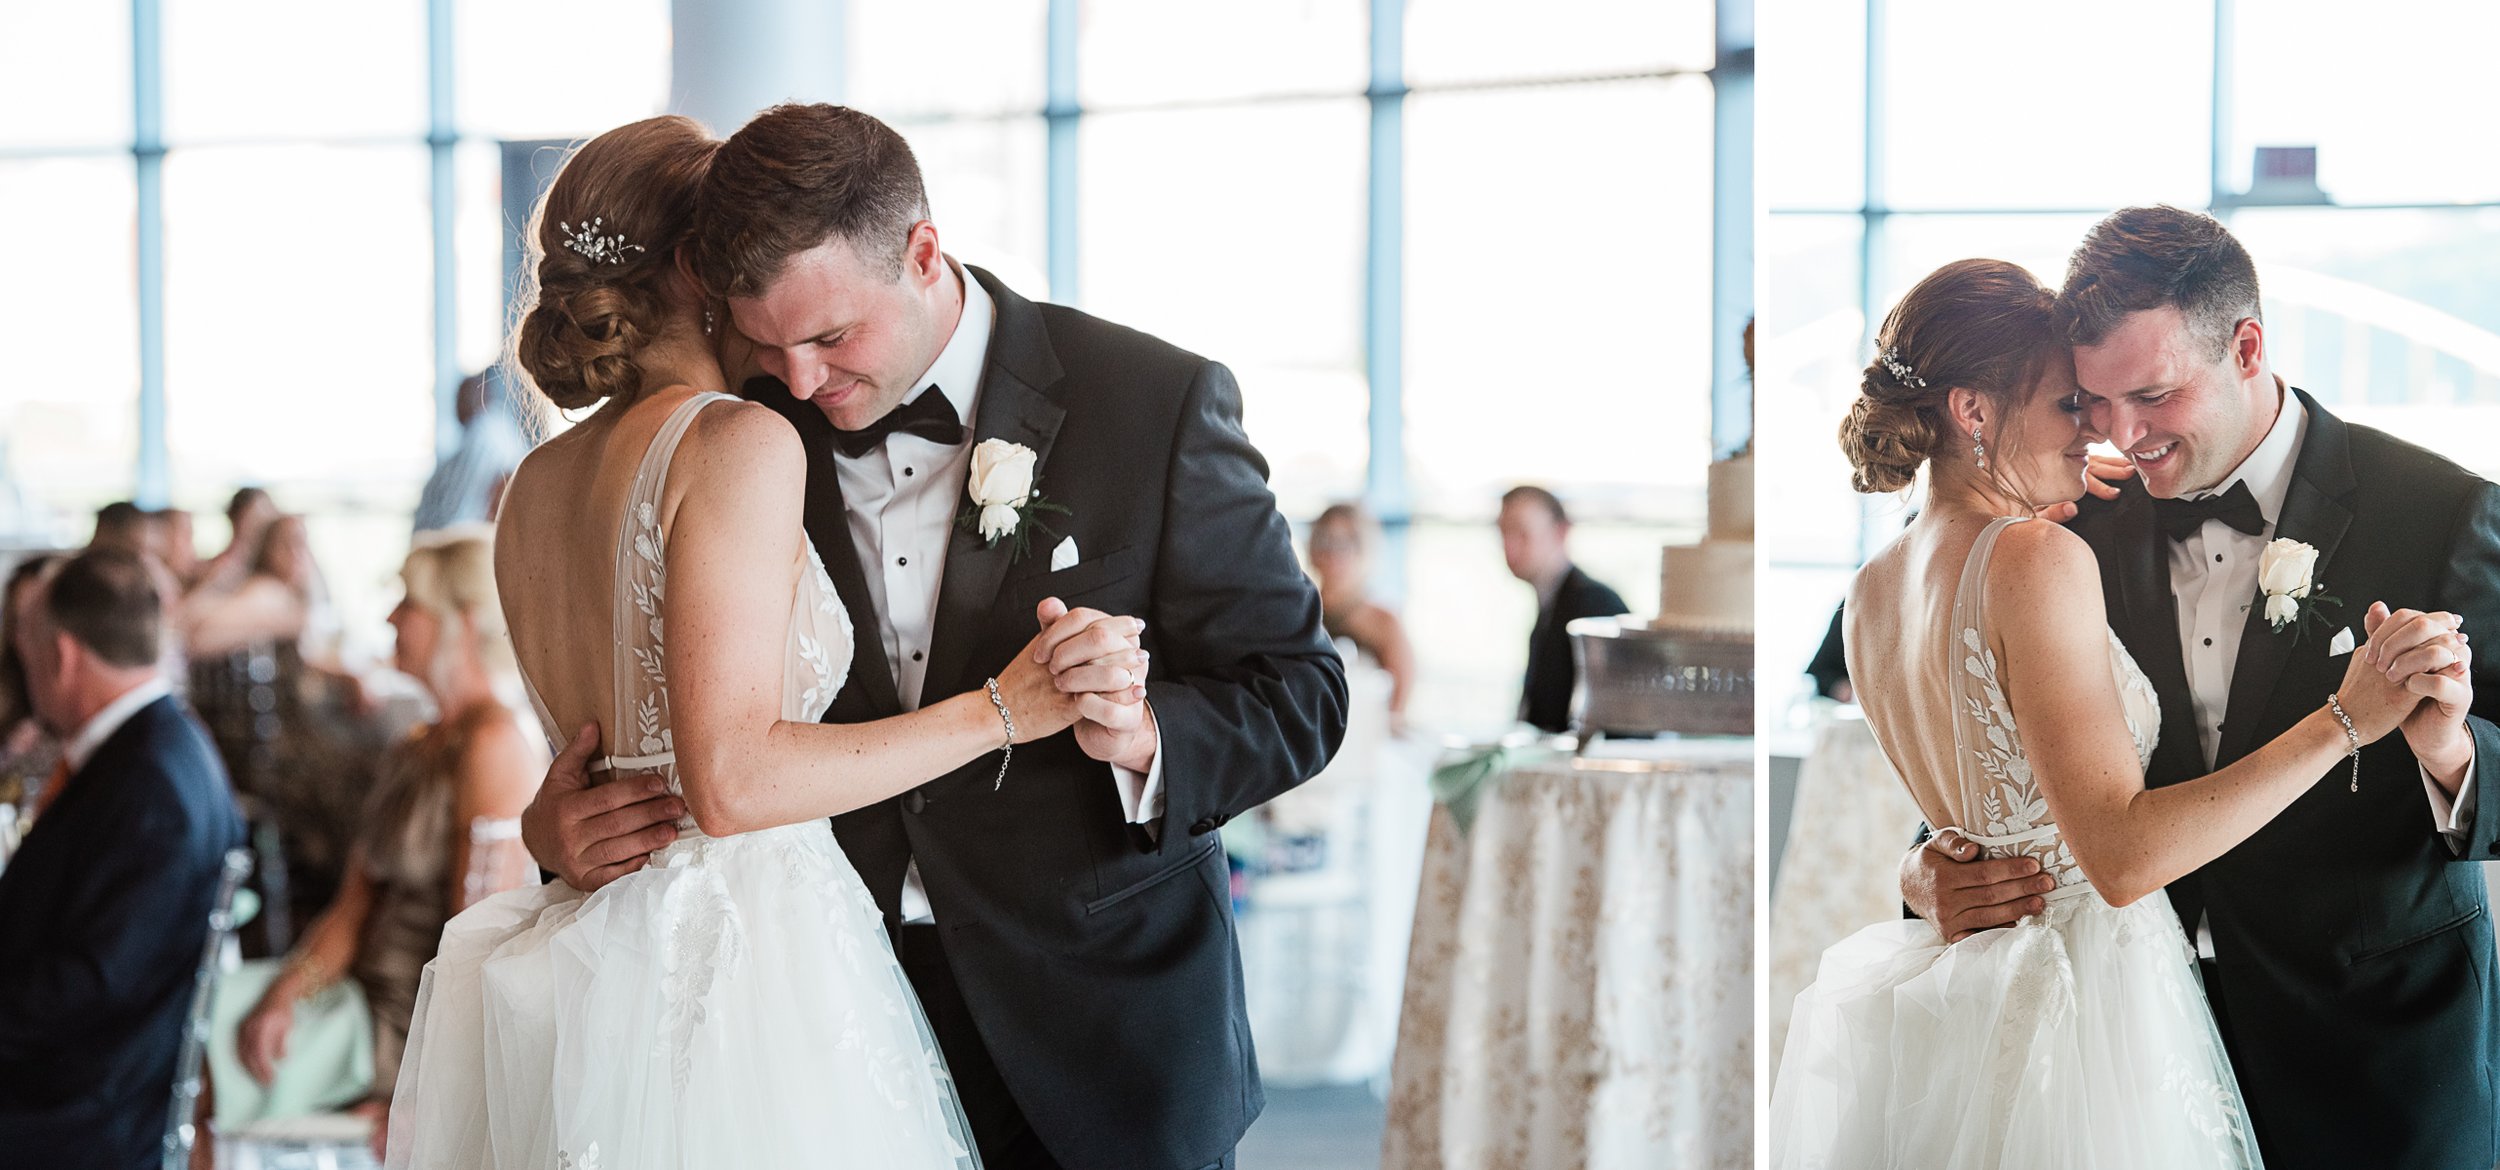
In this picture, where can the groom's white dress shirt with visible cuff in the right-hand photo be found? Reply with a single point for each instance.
(2214, 574)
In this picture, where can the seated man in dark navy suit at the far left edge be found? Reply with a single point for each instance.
(104, 911)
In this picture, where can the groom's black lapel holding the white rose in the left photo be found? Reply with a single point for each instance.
(1011, 409)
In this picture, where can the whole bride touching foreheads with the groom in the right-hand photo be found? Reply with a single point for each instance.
(1979, 644)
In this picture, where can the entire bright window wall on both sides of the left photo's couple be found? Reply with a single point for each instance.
(1446, 244)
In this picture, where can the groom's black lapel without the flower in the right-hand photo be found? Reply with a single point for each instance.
(2146, 621)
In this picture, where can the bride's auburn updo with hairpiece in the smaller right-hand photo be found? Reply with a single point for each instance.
(1974, 324)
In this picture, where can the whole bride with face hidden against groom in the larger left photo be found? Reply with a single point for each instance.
(734, 1001)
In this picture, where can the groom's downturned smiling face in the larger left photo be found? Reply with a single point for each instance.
(849, 331)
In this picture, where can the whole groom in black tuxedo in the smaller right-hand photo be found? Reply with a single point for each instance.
(2346, 951)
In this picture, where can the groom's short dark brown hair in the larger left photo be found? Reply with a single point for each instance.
(796, 179)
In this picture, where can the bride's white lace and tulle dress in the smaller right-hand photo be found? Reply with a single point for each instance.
(2076, 1039)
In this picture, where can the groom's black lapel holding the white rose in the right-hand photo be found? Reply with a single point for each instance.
(2316, 511)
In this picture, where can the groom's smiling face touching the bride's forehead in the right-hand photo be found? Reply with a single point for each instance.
(2184, 414)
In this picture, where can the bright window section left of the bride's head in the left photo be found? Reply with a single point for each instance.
(244, 236)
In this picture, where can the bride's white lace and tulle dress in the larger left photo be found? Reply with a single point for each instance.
(734, 1004)
